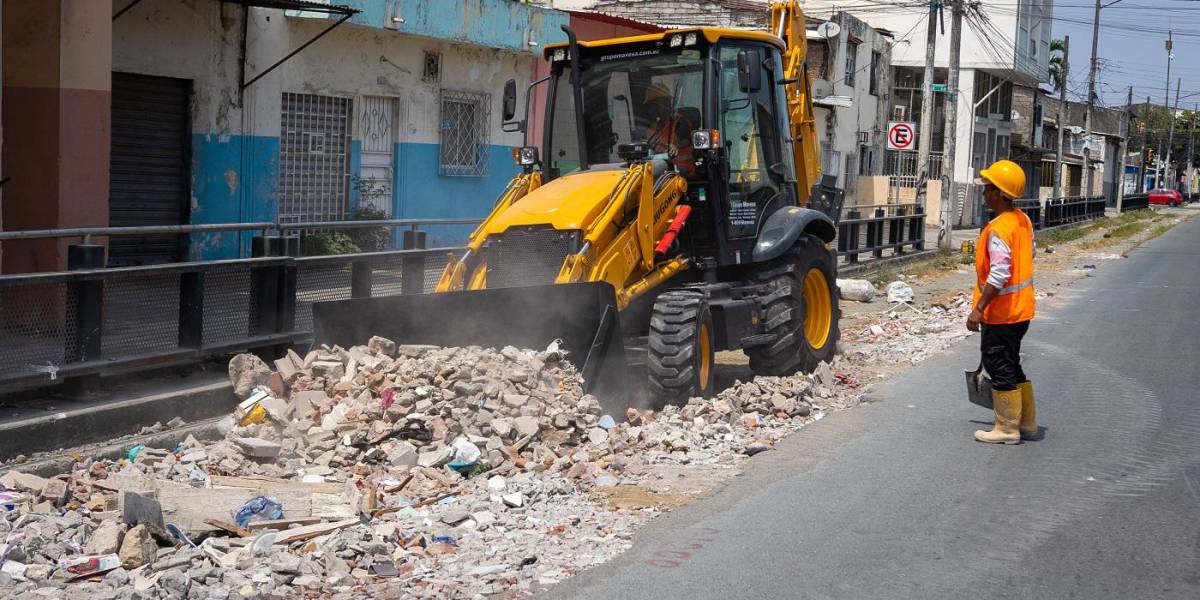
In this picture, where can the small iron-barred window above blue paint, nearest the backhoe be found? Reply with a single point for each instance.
(465, 134)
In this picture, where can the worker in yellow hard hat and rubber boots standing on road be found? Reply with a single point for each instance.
(1004, 304)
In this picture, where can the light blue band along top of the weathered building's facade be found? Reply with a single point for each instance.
(488, 23)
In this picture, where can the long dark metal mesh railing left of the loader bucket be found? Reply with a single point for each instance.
(57, 326)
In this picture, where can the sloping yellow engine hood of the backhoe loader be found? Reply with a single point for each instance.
(569, 202)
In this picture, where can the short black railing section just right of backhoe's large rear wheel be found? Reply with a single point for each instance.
(879, 229)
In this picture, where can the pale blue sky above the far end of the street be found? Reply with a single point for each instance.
(1132, 51)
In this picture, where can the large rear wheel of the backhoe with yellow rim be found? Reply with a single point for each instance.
(801, 308)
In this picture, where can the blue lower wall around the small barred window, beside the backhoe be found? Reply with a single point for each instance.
(423, 194)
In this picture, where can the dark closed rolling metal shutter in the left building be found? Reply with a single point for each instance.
(149, 166)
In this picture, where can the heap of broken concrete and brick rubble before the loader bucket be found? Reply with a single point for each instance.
(383, 470)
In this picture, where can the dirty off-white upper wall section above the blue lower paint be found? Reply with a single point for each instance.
(200, 40)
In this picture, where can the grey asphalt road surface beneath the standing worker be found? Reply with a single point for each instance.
(896, 500)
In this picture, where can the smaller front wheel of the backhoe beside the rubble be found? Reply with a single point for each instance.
(680, 355)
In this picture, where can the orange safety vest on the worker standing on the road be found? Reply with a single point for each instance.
(1016, 302)
